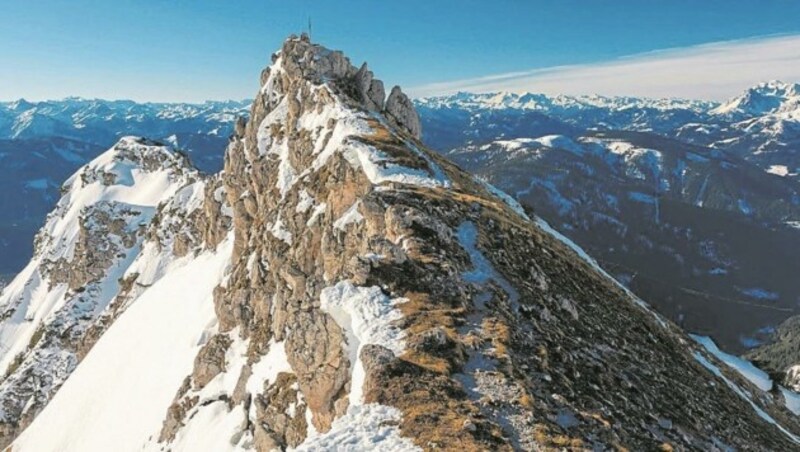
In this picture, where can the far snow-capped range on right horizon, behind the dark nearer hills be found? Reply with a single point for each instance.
(762, 125)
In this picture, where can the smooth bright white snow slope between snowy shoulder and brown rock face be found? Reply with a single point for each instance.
(118, 396)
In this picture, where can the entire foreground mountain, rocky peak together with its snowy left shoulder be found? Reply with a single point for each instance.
(338, 286)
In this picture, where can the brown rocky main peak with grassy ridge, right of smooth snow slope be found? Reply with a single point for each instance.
(376, 274)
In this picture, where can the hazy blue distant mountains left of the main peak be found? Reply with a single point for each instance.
(42, 143)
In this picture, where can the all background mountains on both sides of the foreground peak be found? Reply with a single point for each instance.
(694, 204)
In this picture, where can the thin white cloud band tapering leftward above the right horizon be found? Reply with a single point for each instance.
(713, 71)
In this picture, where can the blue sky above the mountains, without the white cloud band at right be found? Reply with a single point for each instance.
(204, 49)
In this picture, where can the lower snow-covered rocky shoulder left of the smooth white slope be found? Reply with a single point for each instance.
(90, 249)
